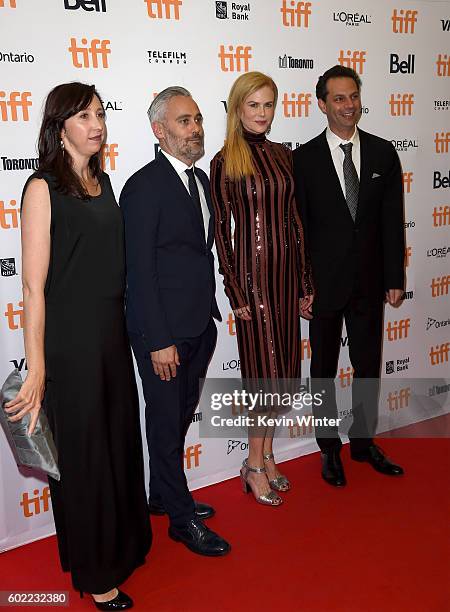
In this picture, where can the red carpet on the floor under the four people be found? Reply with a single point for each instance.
(378, 545)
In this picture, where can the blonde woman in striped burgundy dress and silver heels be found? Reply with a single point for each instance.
(266, 273)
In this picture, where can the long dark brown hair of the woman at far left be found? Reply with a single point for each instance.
(63, 102)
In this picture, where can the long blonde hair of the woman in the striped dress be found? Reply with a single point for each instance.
(236, 151)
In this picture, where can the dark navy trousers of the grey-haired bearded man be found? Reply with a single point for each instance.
(169, 407)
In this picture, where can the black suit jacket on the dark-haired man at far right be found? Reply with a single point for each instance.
(352, 259)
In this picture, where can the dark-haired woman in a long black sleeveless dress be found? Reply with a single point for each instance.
(79, 360)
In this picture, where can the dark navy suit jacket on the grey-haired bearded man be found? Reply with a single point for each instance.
(170, 266)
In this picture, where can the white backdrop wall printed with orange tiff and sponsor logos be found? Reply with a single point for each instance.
(133, 49)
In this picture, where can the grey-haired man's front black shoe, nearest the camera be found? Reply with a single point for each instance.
(198, 538)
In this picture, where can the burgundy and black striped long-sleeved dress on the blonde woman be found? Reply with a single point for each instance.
(264, 263)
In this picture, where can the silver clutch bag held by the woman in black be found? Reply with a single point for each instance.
(36, 451)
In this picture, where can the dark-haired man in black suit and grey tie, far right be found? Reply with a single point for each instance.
(349, 189)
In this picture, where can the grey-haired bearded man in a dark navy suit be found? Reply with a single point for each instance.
(169, 231)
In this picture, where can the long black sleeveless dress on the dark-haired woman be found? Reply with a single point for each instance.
(99, 505)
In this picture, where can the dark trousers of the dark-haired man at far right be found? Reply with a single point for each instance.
(364, 323)
